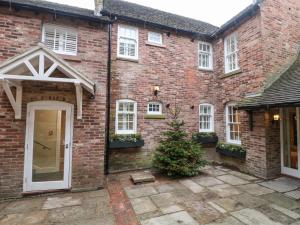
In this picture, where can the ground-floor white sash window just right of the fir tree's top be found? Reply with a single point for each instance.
(206, 118)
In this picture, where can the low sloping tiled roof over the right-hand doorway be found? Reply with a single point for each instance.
(283, 91)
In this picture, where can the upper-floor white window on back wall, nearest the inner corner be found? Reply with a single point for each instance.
(205, 56)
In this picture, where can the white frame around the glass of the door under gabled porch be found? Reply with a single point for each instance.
(28, 185)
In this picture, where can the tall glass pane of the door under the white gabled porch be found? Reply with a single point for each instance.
(48, 145)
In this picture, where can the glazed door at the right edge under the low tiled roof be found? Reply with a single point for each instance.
(290, 148)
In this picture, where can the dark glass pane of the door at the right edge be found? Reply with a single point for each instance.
(290, 139)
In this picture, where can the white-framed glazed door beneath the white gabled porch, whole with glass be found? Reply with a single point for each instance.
(48, 146)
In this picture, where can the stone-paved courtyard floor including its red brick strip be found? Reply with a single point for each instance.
(217, 196)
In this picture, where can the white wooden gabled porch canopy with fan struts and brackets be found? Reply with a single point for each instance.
(40, 64)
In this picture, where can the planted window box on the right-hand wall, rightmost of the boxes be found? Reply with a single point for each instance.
(230, 150)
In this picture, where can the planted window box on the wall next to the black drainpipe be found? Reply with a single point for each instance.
(119, 141)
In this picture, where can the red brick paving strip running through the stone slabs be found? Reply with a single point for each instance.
(121, 206)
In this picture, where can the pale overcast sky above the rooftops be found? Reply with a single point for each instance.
(216, 12)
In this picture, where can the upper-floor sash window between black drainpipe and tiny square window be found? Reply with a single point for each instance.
(128, 42)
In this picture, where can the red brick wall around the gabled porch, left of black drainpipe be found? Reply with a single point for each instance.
(20, 31)
